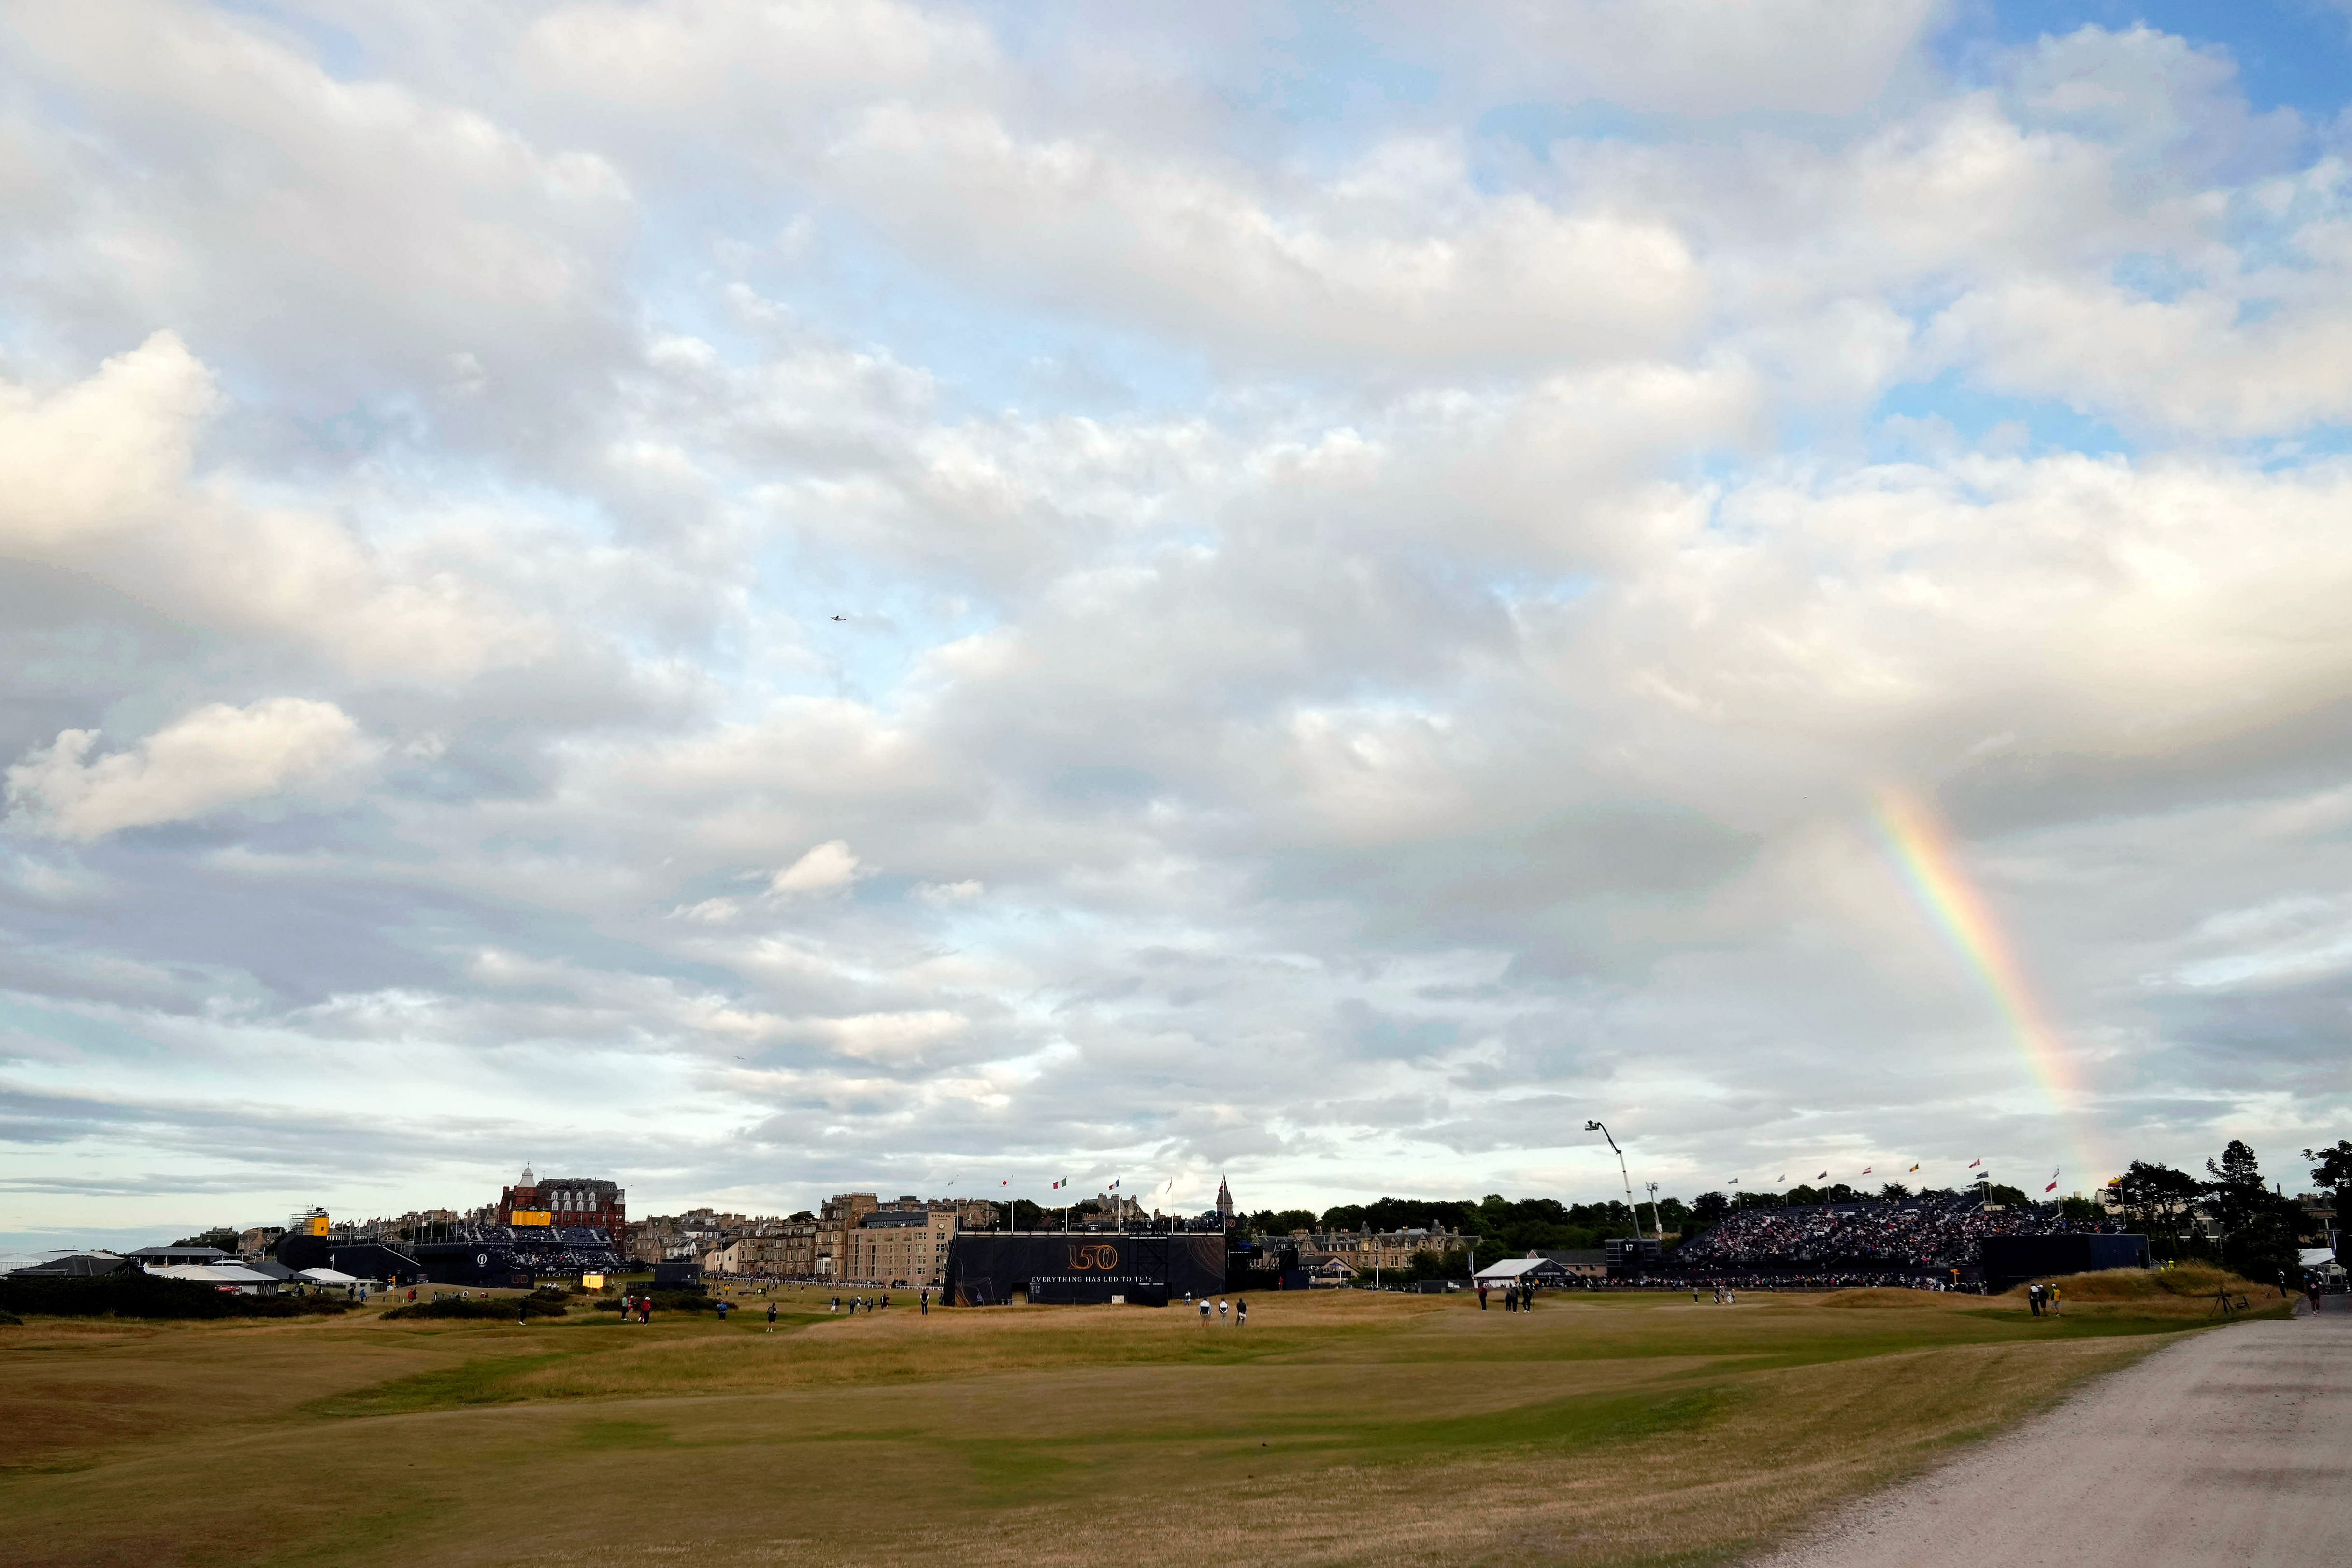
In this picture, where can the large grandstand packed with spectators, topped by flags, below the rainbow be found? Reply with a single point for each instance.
(1932, 1238)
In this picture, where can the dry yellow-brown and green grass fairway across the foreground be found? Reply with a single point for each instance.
(1337, 1428)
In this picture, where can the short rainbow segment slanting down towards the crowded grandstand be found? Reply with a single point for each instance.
(1927, 859)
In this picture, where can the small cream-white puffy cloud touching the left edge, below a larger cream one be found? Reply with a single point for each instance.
(203, 763)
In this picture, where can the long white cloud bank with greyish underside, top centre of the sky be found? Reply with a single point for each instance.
(1401, 257)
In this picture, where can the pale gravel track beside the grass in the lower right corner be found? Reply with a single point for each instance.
(2233, 1447)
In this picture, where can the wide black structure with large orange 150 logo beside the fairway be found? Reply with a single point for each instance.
(1083, 1268)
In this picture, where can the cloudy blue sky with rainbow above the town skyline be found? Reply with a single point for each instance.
(789, 598)
